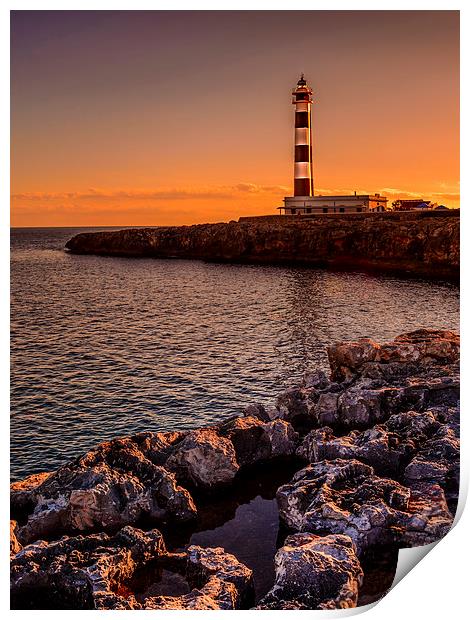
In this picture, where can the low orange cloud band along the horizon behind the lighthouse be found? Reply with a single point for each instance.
(166, 205)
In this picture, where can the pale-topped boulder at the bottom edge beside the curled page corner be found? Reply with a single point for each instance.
(314, 572)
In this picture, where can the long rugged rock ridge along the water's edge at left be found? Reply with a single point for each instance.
(124, 480)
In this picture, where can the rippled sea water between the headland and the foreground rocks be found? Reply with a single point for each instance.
(103, 347)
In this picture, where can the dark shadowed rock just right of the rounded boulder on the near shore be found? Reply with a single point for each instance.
(255, 441)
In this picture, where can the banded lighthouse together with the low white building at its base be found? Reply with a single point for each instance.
(304, 202)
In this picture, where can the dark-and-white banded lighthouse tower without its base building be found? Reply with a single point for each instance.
(303, 166)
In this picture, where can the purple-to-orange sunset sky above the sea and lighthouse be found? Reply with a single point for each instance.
(156, 118)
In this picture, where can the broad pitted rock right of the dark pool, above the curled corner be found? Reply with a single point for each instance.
(345, 497)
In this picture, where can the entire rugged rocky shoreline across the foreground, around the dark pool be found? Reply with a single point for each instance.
(375, 454)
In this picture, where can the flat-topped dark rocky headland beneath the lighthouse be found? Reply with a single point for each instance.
(423, 244)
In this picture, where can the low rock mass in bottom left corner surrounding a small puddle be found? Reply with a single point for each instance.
(94, 572)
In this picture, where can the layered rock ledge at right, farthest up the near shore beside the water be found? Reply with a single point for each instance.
(371, 382)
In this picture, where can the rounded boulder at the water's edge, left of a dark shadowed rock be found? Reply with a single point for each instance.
(205, 459)
